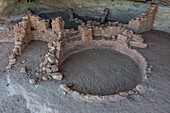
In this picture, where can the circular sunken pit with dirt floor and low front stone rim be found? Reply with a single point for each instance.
(100, 74)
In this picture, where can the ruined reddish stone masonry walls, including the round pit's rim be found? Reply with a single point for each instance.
(62, 41)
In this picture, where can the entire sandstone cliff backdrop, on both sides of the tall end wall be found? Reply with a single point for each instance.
(120, 10)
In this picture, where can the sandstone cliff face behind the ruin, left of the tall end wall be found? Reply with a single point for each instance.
(121, 10)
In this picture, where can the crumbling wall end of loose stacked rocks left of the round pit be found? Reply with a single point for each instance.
(50, 64)
